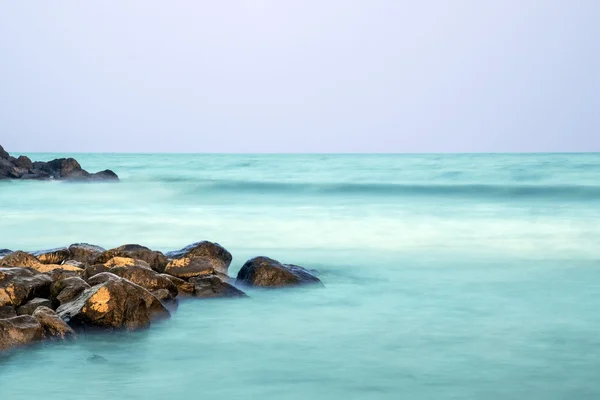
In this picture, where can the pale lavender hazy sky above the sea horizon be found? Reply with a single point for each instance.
(271, 76)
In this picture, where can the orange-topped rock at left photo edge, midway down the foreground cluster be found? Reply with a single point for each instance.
(18, 285)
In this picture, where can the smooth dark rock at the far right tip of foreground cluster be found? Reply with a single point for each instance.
(266, 272)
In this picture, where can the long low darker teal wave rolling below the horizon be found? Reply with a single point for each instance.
(548, 192)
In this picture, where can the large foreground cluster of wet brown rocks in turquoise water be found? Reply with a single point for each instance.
(54, 294)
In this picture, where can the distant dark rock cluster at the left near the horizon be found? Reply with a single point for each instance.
(60, 169)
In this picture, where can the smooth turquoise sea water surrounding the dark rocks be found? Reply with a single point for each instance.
(447, 277)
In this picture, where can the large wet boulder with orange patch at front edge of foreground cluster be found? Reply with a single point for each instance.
(114, 304)
